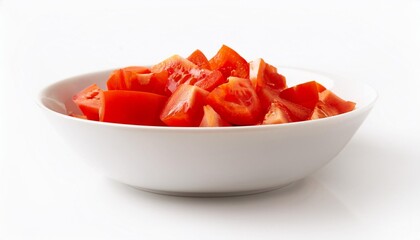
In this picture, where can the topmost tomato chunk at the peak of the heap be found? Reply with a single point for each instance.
(230, 63)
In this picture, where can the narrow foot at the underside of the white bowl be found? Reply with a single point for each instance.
(215, 194)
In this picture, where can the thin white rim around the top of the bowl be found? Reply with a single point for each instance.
(358, 110)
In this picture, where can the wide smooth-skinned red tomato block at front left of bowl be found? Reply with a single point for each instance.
(131, 107)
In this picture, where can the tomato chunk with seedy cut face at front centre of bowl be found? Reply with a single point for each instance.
(236, 102)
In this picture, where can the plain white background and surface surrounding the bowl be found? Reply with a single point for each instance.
(370, 191)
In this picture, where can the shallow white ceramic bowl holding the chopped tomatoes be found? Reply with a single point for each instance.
(208, 161)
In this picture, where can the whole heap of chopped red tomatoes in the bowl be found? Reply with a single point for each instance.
(197, 92)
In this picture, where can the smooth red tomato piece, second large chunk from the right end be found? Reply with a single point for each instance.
(305, 94)
